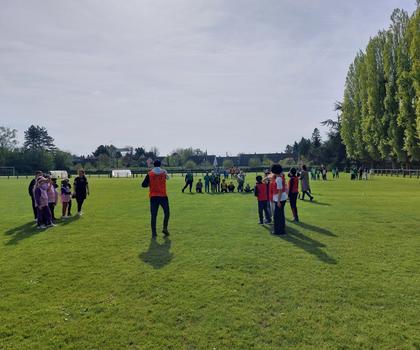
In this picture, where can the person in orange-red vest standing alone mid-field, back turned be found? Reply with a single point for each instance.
(156, 181)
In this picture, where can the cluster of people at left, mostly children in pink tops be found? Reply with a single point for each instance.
(45, 195)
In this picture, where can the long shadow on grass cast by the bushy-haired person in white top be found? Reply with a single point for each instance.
(309, 245)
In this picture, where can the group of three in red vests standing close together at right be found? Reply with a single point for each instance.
(272, 193)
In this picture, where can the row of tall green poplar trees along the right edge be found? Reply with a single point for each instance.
(380, 119)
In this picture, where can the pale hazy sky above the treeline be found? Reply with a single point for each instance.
(224, 76)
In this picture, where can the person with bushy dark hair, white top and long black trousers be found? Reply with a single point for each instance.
(279, 198)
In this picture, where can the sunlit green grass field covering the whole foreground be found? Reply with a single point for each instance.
(346, 277)
